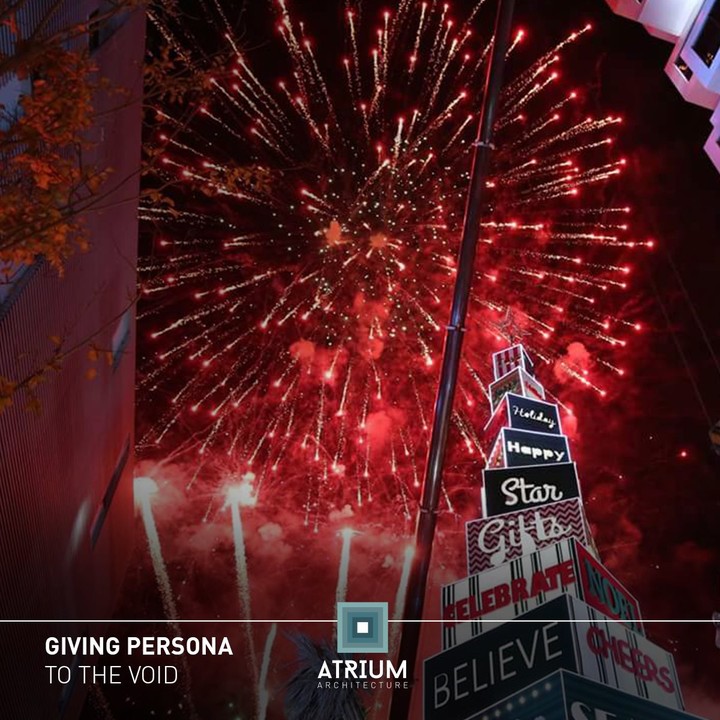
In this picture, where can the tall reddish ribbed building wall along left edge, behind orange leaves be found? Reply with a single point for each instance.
(65, 521)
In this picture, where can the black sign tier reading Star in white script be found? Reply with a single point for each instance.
(508, 489)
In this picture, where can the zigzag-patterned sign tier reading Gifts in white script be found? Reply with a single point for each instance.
(493, 541)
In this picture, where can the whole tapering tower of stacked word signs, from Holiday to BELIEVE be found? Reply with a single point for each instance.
(579, 651)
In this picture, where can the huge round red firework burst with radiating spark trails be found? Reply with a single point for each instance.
(324, 235)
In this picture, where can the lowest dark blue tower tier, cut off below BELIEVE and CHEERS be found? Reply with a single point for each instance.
(564, 695)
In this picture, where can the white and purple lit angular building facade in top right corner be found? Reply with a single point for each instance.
(693, 26)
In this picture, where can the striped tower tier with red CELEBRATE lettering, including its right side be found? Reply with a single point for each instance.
(478, 603)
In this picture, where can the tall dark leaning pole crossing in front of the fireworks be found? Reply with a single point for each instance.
(427, 517)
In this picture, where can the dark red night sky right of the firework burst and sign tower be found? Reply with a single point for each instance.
(658, 525)
